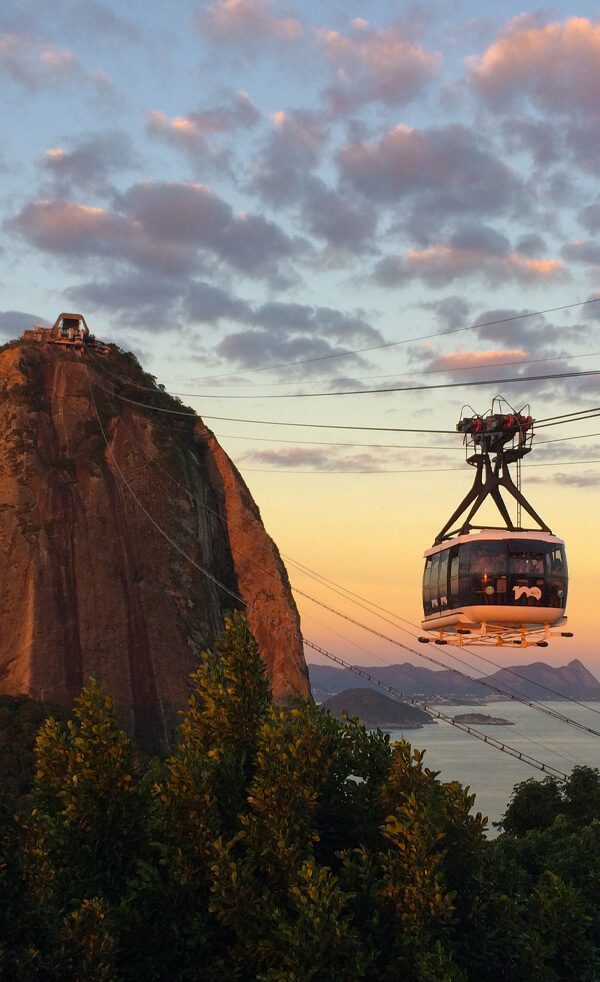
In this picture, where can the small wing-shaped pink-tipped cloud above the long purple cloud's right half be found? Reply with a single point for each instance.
(195, 132)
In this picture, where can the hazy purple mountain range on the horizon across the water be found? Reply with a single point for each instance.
(535, 681)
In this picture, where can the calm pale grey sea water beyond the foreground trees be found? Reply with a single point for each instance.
(491, 774)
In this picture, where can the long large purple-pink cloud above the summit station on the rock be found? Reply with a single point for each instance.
(174, 228)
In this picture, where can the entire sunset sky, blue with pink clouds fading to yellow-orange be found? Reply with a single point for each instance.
(266, 201)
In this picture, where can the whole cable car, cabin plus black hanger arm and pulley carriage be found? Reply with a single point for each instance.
(495, 585)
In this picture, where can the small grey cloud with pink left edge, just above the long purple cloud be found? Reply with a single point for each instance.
(90, 164)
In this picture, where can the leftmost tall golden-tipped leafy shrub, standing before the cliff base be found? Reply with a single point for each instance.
(89, 805)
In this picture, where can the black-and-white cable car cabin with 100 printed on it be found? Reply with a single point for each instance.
(494, 582)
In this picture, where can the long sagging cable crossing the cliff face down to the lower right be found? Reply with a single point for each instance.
(472, 731)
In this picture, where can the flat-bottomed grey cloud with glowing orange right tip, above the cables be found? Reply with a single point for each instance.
(473, 251)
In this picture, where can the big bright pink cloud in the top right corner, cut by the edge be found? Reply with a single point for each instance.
(557, 65)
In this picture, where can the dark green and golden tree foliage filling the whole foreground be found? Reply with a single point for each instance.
(284, 846)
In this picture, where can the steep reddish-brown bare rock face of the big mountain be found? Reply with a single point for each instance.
(106, 541)
